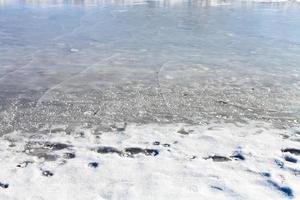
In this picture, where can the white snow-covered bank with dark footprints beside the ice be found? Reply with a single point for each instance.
(215, 161)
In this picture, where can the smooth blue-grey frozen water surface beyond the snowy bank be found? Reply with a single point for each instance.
(148, 61)
